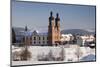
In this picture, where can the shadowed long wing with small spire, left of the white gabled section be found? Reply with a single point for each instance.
(23, 37)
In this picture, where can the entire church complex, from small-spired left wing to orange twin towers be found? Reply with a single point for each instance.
(36, 38)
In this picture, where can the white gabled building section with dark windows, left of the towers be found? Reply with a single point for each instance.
(39, 38)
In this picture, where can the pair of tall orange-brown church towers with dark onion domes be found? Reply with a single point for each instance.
(54, 29)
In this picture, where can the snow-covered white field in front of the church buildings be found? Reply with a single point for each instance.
(72, 53)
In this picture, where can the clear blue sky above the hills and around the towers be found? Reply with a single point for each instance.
(35, 15)
